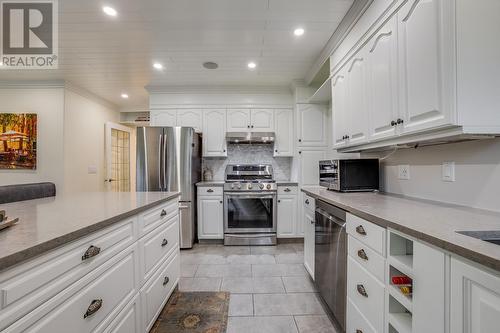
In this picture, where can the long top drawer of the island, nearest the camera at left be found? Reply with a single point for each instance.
(25, 287)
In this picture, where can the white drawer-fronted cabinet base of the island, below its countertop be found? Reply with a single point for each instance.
(116, 289)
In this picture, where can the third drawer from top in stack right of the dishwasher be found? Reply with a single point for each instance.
(370, 305)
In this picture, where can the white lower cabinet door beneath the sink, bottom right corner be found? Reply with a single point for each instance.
(475, 299)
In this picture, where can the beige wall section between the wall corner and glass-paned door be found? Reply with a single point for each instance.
(84, 121)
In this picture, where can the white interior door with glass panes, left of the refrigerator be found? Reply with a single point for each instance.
(117, 156)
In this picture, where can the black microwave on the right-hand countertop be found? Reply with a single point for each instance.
(350, 175)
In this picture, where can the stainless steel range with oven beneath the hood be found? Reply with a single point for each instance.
(250, 199)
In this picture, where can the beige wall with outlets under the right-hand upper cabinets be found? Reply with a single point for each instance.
(477, 173)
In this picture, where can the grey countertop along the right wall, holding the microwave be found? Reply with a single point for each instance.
(429, 221)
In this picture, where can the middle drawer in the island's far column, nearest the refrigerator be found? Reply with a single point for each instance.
(156, 245)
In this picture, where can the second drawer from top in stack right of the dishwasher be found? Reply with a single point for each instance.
(367, 258)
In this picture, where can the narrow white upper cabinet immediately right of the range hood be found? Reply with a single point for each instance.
(283, 145)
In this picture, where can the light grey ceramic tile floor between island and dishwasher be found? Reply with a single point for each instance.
(270, 290)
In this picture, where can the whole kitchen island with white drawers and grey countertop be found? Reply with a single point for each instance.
(96, 262)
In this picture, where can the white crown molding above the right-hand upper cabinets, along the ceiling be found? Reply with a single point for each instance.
(352, 16)
